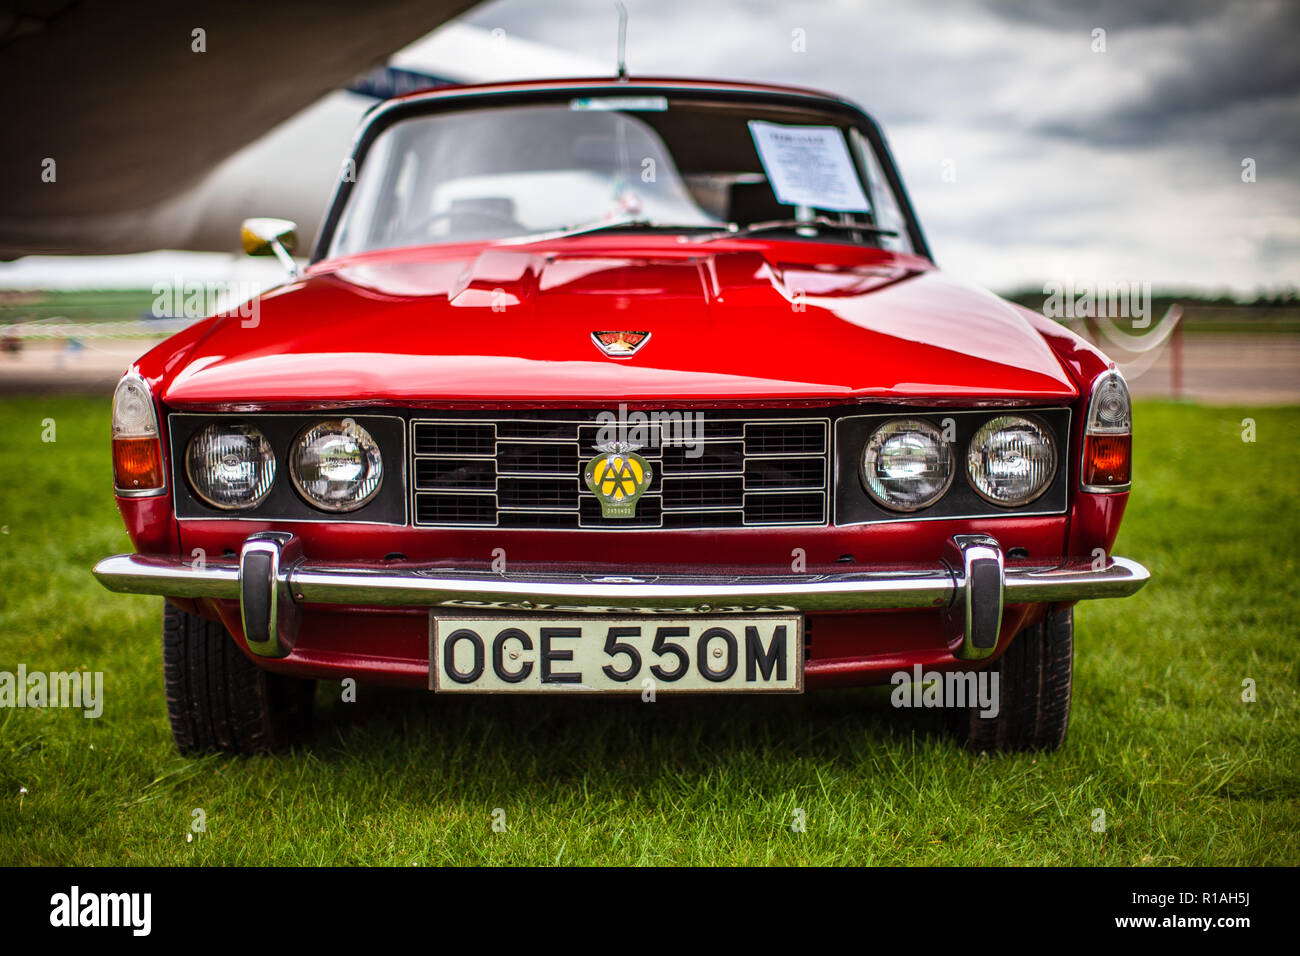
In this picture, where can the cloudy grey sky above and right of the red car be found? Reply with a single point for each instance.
(1068, 163)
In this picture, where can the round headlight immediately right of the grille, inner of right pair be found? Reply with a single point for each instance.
(907, 465)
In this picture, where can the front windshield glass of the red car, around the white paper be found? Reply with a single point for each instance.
(502, 172)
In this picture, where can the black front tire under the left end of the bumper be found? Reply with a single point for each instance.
(219, 700)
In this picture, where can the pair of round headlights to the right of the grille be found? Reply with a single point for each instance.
(908, 465)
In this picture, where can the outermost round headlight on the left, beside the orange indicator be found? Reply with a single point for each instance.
(231, 466)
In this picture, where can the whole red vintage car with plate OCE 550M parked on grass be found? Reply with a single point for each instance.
(621, 387)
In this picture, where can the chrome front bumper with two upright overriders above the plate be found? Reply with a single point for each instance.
(272, 579)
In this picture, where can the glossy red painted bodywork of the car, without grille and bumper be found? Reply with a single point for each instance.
(418, 328)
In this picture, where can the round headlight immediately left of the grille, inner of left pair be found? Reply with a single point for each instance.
(336, 466)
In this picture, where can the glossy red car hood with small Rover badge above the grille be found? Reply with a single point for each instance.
(727, 325)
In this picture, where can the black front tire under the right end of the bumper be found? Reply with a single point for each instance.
(1035, 676)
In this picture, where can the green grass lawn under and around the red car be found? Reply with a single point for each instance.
(1160, 738)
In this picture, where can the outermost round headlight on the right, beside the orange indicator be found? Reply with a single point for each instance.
(1012, 461)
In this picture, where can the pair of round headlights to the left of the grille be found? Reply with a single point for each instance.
(335, 466)
